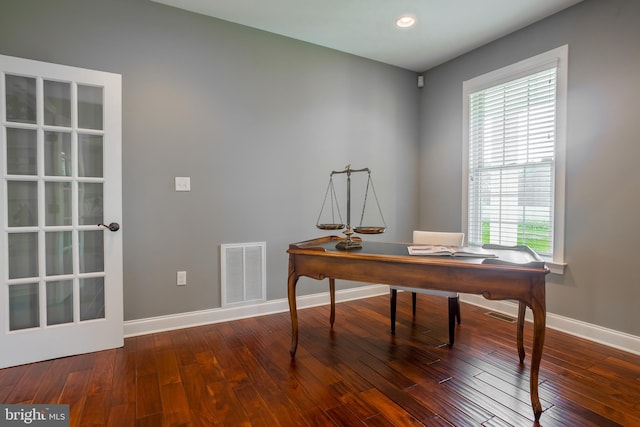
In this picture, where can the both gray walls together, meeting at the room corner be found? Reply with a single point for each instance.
(258, 121)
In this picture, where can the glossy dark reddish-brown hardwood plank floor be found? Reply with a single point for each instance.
(240, 373)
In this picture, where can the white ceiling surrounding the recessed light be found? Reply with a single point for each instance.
(445, 28)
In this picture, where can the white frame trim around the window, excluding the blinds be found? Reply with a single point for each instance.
(558, 57)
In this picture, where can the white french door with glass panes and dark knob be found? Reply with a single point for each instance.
(60, 156)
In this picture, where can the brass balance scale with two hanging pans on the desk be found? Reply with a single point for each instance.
(349, 243)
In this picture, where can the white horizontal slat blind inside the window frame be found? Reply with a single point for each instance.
(512, 140)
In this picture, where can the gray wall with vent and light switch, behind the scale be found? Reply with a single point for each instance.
(257, 121)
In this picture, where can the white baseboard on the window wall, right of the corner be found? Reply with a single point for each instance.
(608, 337)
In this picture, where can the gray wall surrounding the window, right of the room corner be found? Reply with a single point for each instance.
(601, 284)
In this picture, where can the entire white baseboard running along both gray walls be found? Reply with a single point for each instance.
(588, 331)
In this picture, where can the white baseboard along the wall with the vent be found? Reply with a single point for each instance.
(204, 317)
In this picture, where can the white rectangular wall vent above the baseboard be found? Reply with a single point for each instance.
(243, 268)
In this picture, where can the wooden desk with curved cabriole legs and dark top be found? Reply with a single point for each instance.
(390, 263)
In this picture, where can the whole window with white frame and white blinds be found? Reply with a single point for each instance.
(514, 126)
